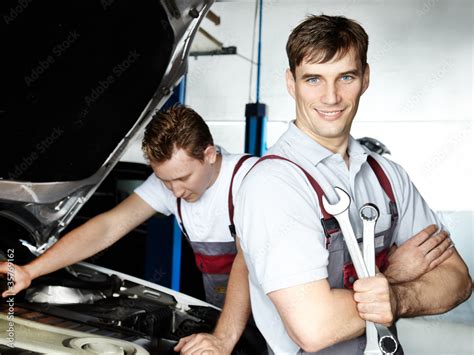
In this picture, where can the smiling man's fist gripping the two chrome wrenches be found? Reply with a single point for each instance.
(375, 300)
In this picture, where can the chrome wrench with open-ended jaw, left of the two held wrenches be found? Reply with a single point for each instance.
(340, 210)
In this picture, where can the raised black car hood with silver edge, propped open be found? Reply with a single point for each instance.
(80, 79)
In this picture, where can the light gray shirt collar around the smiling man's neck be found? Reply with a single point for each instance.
(313, 151)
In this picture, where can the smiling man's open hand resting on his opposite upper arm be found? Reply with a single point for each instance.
(419, 255)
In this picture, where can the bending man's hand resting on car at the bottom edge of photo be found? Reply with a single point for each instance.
(202, 344)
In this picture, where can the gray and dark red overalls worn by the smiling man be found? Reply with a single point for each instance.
(341, 271)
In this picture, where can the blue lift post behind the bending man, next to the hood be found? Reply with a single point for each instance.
(163, 254)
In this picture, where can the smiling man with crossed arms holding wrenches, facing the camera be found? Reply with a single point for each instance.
(302, 290)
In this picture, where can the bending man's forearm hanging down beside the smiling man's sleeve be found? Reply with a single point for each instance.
(236, 310)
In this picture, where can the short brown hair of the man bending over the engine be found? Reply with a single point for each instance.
(175, 128)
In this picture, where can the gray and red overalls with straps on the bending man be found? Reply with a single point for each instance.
(215, 259)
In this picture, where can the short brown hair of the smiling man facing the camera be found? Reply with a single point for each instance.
(319, 39)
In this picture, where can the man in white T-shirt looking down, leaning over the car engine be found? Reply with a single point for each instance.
(191, 180)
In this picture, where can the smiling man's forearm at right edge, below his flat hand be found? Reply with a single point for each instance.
(435, 292)
